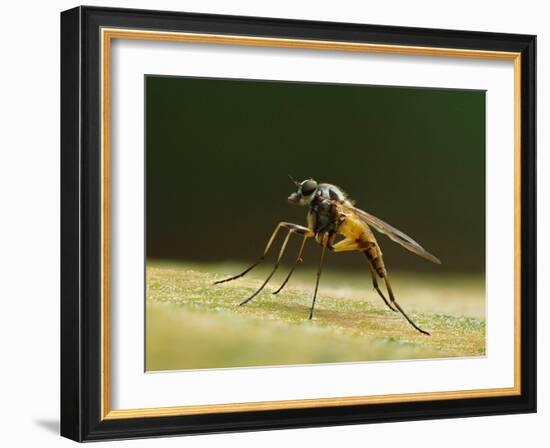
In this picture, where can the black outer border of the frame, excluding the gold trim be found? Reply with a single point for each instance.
(81, 224)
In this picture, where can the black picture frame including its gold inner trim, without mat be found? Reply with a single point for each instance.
(87, 34)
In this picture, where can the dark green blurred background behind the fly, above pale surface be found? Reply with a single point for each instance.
(218, 153)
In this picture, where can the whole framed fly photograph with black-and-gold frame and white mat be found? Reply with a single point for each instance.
(275, 224)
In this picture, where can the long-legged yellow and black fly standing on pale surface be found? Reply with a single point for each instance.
(332, 214)
